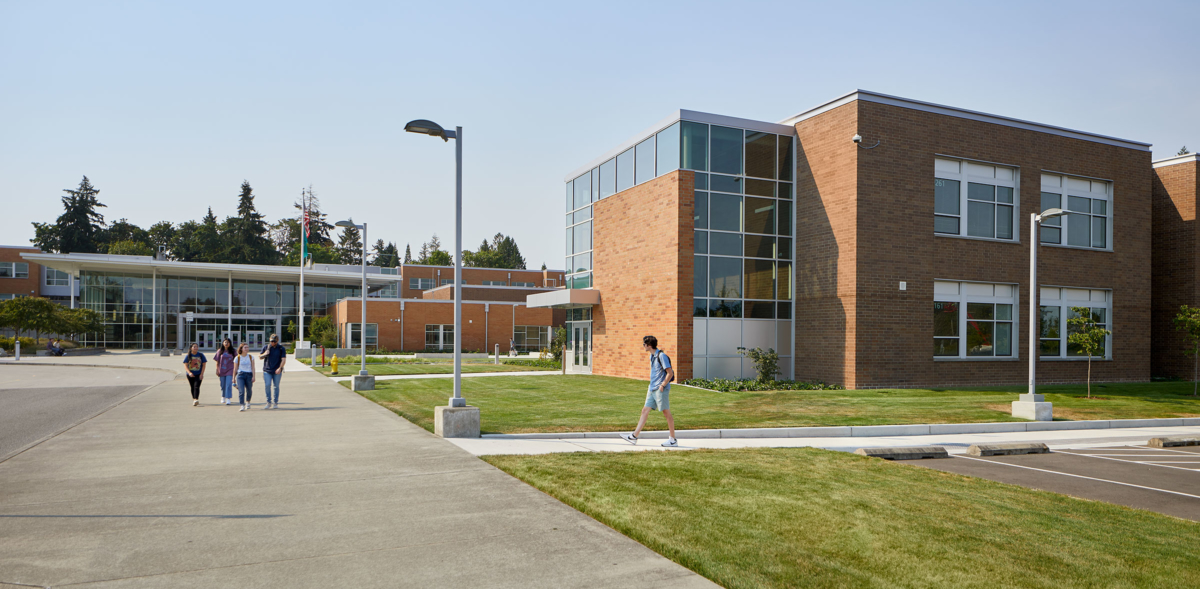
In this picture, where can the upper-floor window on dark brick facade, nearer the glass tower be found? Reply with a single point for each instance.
(975, 200)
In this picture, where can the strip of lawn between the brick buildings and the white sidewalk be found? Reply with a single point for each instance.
(590, 404)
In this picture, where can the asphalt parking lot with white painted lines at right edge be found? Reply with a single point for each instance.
(1166, 480)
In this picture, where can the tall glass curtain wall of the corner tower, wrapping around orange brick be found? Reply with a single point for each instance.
(745, 242)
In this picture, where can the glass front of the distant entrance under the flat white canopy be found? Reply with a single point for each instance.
(125, 300)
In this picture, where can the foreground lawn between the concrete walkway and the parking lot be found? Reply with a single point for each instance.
(806, 518)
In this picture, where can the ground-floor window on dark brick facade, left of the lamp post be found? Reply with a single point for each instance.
(975, 320)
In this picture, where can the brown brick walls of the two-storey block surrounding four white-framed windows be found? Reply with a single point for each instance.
(892, 239)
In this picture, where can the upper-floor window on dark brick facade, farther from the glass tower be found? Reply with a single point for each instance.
(1089, 202)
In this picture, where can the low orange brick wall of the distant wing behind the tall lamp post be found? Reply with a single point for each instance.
(495, 322)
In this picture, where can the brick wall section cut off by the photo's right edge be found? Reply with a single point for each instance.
(1175, 279)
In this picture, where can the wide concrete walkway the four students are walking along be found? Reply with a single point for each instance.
(329, 491)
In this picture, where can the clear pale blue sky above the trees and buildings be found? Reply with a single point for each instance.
(169, 106)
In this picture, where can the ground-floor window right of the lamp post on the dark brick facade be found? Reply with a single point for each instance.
(1057, 310)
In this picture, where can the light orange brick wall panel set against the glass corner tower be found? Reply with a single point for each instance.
(643, 241)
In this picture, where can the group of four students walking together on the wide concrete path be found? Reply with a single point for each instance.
(237, 368)
